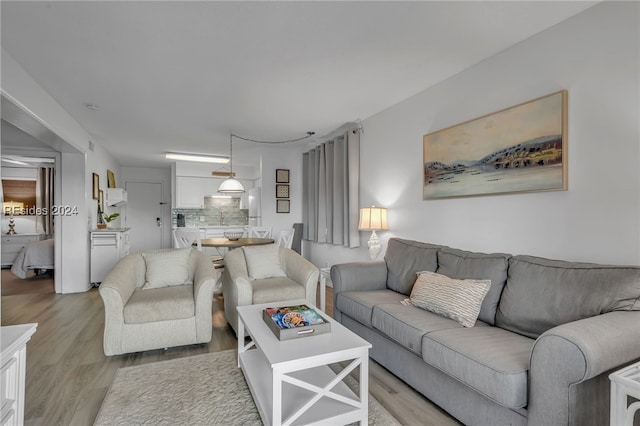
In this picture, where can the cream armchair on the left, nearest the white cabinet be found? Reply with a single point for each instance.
(139, 319)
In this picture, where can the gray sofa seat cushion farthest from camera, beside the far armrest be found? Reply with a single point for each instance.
(359, 304)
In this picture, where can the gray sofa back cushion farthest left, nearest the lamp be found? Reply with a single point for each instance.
(404, 259)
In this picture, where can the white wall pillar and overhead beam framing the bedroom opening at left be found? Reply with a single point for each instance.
(77, 164)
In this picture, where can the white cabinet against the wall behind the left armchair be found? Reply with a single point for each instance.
(107, 247)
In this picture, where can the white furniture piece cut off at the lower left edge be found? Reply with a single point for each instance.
(14, 340)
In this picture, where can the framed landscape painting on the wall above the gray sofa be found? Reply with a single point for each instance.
(519, 149)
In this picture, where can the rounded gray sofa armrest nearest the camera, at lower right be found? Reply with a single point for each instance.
(569, 355)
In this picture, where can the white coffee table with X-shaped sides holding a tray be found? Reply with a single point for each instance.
(291, 382)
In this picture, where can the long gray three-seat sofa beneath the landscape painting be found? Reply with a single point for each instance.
(548, 334)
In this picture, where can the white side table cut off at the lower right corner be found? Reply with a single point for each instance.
(624, 382)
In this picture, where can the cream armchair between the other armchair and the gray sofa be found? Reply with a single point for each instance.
(239, 289)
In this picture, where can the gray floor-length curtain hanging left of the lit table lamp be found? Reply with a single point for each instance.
(331, 178)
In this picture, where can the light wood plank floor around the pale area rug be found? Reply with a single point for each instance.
(68, 374)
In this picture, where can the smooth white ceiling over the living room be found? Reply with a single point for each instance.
(180, 76)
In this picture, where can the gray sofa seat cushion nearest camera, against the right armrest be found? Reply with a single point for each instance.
(490, 360)
